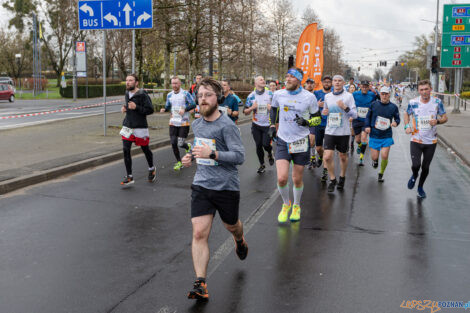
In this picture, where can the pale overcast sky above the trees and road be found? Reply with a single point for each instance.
(370, 30)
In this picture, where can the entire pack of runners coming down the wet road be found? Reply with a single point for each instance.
(293, 127)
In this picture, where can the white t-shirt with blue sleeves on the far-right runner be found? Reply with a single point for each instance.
(420, 114)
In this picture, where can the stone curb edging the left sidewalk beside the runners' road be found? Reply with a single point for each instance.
(33, 179)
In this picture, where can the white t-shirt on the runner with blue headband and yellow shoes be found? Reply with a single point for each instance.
(301, 103)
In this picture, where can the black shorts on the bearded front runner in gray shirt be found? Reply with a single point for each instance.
(207, 201)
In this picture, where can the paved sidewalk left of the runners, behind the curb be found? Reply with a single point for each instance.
(38, 153)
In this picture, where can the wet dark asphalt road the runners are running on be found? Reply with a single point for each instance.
(82, 244)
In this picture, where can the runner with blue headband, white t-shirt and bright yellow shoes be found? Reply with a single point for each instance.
(296, 109)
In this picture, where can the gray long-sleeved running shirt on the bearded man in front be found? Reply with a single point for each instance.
(224, 136)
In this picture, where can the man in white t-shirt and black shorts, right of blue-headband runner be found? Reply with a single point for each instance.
(339, 106)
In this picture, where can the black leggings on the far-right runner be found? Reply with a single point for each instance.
(427, 151)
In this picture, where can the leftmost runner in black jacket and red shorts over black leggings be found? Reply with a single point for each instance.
(135, 128)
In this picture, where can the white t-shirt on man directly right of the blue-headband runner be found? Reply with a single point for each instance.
(338, 120)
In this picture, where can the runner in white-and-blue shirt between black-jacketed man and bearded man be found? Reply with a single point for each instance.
(179, 102)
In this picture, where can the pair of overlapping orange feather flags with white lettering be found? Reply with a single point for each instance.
(309, 55)
